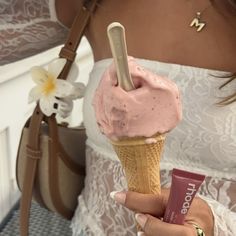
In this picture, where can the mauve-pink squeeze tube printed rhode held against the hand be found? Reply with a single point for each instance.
(182, 192)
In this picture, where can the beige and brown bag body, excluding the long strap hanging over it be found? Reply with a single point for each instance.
(60, 172)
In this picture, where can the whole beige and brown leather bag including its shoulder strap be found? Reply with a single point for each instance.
(51, 158)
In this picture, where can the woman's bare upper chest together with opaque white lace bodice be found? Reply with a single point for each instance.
(160, 31)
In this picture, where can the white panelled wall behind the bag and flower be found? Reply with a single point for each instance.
(15, 84)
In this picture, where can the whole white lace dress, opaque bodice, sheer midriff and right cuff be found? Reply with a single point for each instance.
(204, 142)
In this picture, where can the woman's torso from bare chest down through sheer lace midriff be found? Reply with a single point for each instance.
(205, 141)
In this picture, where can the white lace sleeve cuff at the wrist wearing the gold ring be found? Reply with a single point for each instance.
(224, 218)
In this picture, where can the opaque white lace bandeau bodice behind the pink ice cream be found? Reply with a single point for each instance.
(204, 141)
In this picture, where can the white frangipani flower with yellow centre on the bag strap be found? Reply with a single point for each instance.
(50, 90)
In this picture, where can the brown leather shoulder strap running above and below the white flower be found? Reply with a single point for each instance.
(33, 147)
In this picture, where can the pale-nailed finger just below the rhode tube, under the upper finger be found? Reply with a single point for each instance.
(152, 226)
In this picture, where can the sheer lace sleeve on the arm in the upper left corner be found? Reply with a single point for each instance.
(28, 27)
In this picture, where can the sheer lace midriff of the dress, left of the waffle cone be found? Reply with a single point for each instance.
(97, 213)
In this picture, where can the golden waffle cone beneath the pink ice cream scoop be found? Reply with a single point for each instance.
(141, 162)
